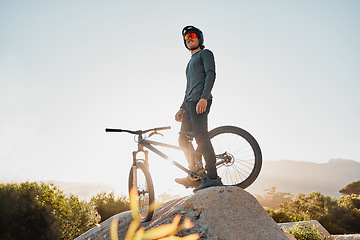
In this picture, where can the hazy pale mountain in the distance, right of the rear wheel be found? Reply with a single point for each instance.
(304, 177)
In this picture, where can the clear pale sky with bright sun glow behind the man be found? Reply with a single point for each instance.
(287, 71)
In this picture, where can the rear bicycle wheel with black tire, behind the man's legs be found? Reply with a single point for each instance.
(246, 155)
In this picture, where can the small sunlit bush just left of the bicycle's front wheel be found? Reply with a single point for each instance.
(107, 205)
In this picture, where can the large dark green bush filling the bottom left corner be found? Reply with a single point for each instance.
(42, 211)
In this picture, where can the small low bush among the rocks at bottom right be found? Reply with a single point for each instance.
(305, 231)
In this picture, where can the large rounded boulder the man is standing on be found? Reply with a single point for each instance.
(218, 213)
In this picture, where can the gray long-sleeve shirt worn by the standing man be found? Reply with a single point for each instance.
(200, 75)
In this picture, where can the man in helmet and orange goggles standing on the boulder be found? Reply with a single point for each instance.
(193, 113)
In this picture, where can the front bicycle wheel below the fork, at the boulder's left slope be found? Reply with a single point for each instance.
(145, 190)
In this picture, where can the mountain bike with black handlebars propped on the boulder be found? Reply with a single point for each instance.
(238, 161)
